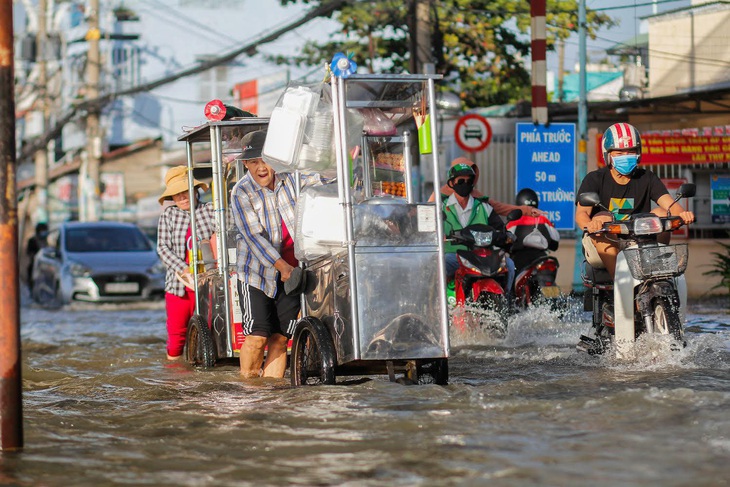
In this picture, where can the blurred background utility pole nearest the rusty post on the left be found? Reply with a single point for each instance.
(41, 156)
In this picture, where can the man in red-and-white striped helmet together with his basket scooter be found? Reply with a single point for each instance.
(645, 290)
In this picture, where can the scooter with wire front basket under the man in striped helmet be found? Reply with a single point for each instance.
(648, 293)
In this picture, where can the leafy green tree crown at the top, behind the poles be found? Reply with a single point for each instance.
(479, 46)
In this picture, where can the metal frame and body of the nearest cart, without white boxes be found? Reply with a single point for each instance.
(378, 306)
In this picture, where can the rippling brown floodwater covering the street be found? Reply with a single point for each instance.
(103, 407)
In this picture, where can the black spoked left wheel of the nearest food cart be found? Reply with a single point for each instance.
(312, 354)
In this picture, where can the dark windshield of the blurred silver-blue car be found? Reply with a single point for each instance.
(107, 239)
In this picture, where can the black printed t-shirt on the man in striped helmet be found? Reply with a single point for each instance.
(624, 200)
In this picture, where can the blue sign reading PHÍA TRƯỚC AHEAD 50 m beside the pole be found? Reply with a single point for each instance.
(546, 163)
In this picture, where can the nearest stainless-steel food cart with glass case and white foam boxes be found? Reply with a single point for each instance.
(374, 301)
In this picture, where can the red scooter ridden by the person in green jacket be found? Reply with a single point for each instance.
(481, 278)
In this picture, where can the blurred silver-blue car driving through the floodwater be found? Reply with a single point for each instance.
(97, 262)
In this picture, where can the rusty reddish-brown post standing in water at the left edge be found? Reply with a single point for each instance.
(11, 417)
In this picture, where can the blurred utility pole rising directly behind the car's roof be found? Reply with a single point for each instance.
(89, 187)
